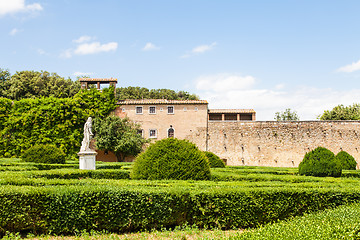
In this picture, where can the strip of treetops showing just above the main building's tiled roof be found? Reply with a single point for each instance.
(144, 93)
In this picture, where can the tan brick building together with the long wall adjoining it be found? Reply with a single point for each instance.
(234, 135)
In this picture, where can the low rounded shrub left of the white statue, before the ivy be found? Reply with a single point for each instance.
(44, 154)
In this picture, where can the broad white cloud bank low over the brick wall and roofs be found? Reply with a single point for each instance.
(309, 102)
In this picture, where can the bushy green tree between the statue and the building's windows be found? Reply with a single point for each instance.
(119, 136)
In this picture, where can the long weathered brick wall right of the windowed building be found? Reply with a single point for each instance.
(282, 144)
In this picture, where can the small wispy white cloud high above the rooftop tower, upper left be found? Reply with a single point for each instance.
(84, 47)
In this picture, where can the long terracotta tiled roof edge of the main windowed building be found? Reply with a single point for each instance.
(159, 101)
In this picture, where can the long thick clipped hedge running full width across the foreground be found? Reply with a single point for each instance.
(68, 209)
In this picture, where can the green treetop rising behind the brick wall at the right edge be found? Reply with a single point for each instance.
(341, 112)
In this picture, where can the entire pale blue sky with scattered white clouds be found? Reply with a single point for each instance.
(260, 54)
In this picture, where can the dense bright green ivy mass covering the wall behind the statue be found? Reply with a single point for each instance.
(50, 120)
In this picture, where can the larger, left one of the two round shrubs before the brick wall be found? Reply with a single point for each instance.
(320, 162)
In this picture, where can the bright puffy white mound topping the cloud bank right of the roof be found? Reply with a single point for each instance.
(224, 82)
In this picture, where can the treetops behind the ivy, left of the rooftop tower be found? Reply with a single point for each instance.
(33, 84)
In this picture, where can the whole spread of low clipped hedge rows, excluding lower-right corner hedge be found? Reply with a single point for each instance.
(66, 201)
